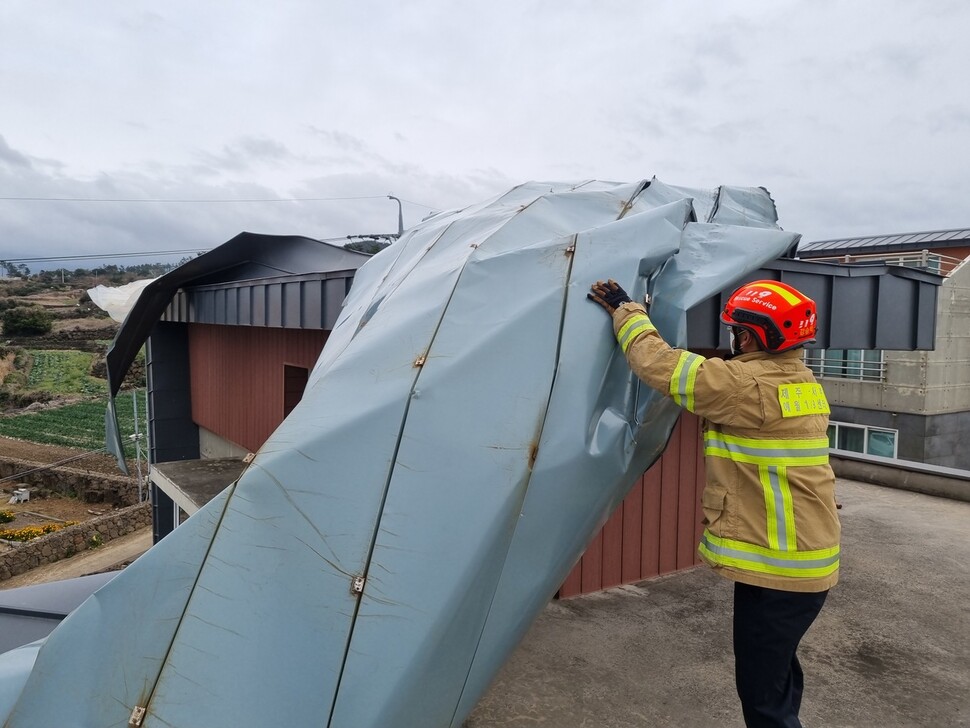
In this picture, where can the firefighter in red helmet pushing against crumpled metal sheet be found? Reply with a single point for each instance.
(770, 522)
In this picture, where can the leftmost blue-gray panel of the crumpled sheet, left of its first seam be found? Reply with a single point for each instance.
(105, 657)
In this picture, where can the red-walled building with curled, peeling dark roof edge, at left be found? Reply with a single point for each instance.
(230, 339)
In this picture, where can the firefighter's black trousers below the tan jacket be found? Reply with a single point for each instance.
(768, 625)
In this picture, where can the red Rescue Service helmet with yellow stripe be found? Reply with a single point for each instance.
(779, 316)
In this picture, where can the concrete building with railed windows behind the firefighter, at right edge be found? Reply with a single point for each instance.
(893, 401)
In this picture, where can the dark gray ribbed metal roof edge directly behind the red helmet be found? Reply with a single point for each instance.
(875, 306)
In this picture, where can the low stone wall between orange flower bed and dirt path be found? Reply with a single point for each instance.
(69, 541)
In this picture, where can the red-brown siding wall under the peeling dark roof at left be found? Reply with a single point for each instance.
(238, 380)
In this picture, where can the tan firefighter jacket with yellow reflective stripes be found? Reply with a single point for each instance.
(769, 501)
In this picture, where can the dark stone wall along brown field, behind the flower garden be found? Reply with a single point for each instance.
(89, 487)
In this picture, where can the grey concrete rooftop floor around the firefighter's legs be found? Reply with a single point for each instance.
(891, 648)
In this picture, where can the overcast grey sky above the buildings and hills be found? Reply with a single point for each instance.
(855, 116)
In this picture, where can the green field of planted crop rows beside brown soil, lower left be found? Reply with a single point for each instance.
(79, 425)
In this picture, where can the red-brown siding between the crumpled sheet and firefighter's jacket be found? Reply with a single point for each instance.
(656, 528)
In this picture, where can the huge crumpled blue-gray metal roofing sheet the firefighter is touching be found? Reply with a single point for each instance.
(469, 426)
